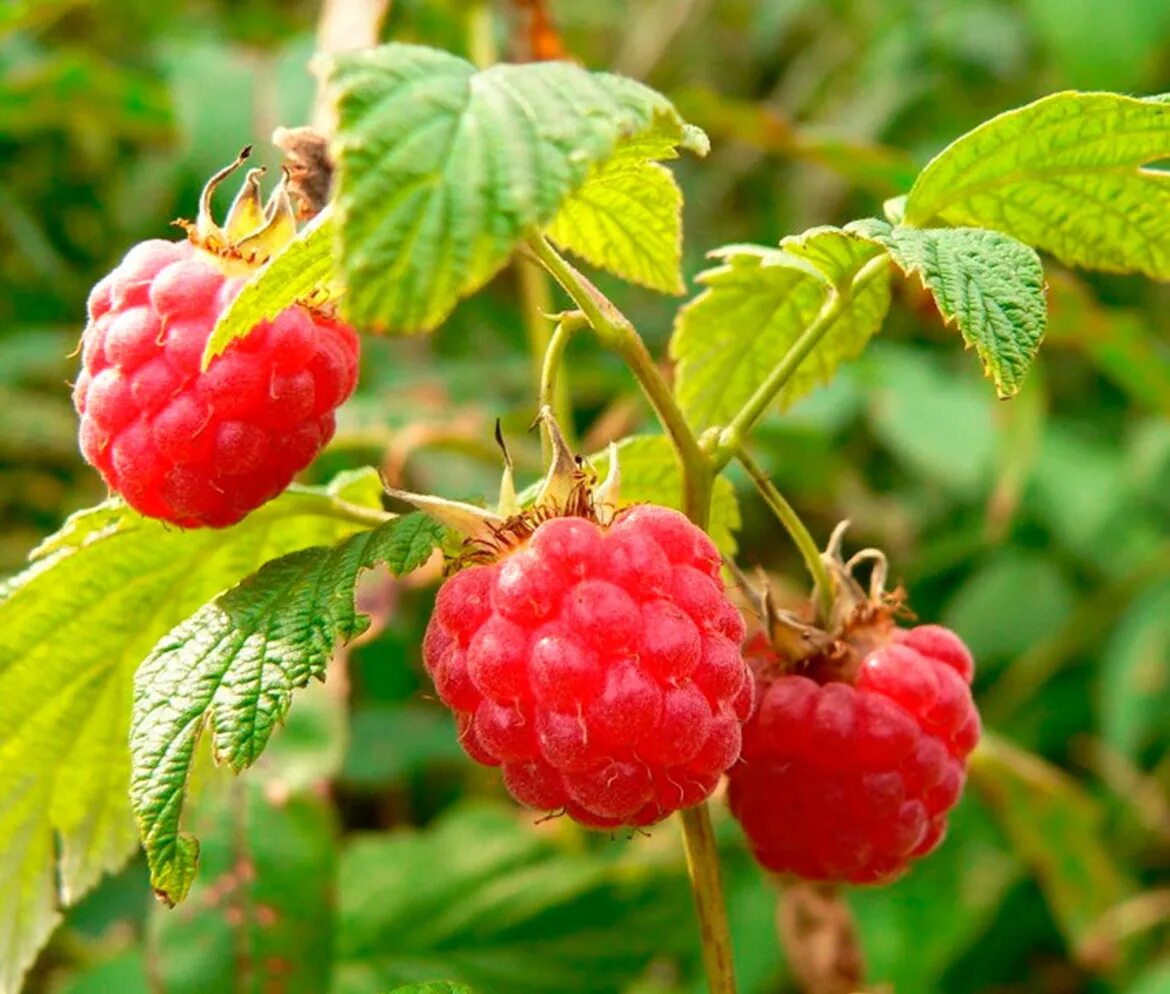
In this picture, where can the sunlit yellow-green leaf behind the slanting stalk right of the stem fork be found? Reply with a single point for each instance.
(755, 310)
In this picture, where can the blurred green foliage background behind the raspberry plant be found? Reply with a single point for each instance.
(1038, 529)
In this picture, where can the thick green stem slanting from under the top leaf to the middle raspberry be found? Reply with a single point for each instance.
(615, 332)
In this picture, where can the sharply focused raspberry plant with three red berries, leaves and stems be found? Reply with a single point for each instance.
(584, 636)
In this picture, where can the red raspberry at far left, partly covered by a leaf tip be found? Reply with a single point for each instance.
(202, 448)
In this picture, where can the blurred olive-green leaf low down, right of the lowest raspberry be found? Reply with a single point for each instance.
(1057, 830)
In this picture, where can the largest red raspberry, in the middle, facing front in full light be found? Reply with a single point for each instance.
(600, 668)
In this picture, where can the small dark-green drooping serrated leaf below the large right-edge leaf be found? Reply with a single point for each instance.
(987, 284)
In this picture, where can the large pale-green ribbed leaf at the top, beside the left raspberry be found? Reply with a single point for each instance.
(442, 169)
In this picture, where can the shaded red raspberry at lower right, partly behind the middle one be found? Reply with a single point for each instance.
(845, 782)
